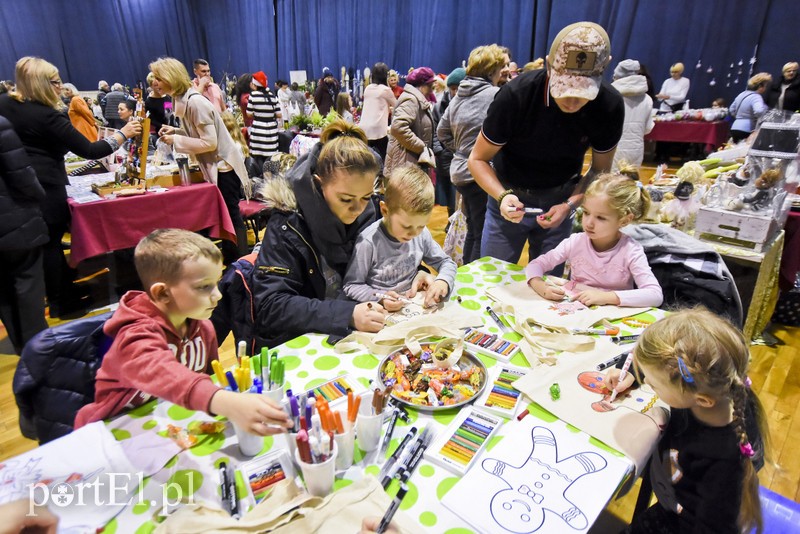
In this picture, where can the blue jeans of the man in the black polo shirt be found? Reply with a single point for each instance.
(504, 240)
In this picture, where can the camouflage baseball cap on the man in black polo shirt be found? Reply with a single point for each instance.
(578, 57)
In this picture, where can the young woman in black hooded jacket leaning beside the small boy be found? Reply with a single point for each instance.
(318, 212)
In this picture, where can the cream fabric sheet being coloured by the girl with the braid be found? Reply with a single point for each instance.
(631, 425)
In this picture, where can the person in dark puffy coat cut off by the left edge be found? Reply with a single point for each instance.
(22, 234)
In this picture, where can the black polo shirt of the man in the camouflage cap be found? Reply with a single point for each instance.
(543, 147)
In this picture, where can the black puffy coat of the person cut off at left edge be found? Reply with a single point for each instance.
(21, 223)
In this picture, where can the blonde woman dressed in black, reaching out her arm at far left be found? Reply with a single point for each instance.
(35, 110)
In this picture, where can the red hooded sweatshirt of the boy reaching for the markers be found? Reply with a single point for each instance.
(148, 358)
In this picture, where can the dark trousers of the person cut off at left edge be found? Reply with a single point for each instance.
(22, 295)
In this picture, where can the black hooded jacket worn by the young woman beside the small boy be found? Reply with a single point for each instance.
(288, 282)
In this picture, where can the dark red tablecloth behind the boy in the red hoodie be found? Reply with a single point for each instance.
(107, 225)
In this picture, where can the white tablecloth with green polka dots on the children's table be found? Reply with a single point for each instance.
(311, 361)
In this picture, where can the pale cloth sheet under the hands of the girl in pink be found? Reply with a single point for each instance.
(528, 304)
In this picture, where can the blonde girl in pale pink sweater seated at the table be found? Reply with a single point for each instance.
(605, 264)
